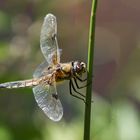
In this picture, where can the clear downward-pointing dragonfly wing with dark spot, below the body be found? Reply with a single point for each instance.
(48, 101)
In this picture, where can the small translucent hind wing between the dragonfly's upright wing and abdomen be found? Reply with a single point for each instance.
(40, 70)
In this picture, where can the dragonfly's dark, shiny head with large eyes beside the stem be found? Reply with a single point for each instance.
(79, 67)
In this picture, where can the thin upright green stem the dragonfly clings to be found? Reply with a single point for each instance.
(90, 69)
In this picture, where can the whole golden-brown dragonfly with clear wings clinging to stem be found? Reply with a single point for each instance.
(50, 72)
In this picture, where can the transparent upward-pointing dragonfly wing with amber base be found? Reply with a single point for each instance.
(48, 40)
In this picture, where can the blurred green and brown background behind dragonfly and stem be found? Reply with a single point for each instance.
(116, 87)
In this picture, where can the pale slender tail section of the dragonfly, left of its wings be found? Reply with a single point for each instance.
(19, 84)
